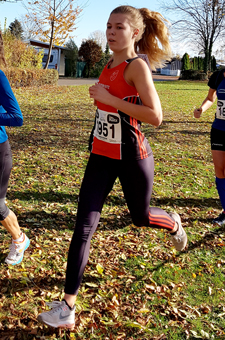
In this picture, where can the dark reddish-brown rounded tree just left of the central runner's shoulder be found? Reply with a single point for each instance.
(91, 53)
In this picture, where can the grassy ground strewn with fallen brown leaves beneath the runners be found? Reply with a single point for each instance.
(136, 286)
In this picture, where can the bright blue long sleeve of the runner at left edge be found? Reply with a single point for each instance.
(10, 113)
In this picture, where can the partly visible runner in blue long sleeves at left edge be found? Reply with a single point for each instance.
(10, 115)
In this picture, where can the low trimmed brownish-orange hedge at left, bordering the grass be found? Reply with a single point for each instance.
(19, 77)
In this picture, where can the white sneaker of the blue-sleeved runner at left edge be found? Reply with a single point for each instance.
(17, 250)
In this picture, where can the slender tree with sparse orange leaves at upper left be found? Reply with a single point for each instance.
(54, 20)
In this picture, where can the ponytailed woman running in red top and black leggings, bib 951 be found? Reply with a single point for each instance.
(125, 96)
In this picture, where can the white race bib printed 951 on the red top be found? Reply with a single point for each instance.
(108, 127)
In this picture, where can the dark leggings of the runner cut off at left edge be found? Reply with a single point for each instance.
(5, 170)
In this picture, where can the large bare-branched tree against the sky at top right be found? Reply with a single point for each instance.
(200, 22)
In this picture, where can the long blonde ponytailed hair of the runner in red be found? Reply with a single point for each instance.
(153, 36)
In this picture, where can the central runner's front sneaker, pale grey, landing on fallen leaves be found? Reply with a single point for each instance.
(59, 316)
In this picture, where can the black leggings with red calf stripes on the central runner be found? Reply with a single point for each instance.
(136, 178)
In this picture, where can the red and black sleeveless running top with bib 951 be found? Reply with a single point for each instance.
(115, 134)
